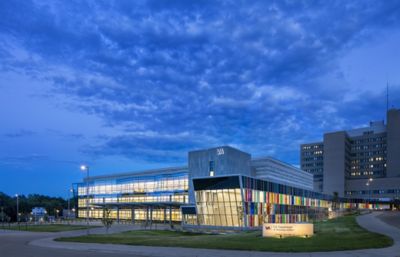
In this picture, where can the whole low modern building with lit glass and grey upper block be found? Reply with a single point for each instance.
(221, 187)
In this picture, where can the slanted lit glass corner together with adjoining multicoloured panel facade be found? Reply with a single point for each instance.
(240, 201)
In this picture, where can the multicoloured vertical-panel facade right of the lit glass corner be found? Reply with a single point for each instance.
(269, 202)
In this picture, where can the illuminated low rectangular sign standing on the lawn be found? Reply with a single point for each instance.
(284, 230)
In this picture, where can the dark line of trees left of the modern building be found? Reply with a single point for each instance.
(8, 205)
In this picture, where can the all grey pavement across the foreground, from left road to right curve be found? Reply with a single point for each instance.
(24, 244)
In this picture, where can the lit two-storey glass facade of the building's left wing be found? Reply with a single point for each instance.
(133, 197)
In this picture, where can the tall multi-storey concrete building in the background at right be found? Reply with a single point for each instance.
(360, 163)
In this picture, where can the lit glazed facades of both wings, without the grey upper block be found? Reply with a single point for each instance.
(234, 201)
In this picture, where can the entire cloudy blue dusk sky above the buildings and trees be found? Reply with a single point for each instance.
(129, 85)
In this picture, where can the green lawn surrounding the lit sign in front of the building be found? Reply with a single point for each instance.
(340, 234)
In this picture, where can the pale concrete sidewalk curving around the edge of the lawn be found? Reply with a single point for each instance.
(370, 222)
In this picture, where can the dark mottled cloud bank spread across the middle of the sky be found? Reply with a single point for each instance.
(169, 76)
